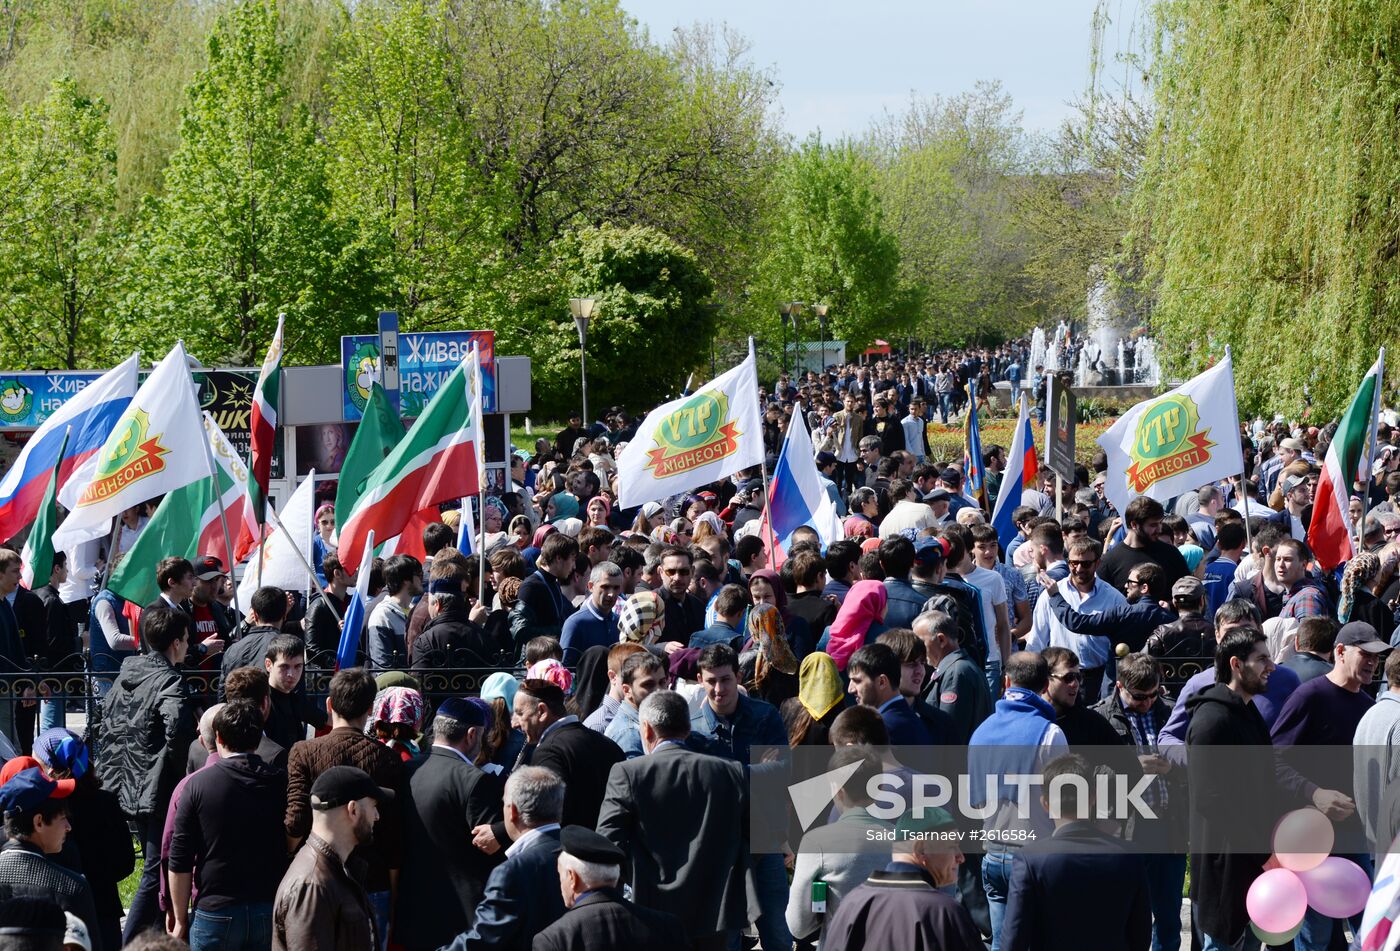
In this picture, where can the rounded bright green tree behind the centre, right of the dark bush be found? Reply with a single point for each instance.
(827, 242)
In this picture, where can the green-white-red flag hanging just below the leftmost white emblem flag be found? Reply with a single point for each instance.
(188, 525)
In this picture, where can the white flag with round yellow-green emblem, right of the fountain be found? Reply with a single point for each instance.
(1177, 443)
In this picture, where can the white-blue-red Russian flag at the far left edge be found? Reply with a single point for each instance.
(90, 417)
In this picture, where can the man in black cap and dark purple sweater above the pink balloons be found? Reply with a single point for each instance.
(1325, 712)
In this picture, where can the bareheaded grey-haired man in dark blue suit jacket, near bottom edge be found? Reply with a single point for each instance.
(523, 896)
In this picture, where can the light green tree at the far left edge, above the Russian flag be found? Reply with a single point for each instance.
(65, 244)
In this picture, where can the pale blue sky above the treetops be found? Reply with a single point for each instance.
(843, 62)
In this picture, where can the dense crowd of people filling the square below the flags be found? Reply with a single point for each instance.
(638, 667)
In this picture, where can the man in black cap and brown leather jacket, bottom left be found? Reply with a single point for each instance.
(320, 905)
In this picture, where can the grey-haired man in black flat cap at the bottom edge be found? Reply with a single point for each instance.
(598, 917)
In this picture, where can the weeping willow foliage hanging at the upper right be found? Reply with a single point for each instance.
(1268, 204)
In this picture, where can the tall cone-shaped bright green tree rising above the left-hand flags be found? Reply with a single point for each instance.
(244, 228)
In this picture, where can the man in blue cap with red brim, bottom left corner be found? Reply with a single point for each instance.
(36, 826)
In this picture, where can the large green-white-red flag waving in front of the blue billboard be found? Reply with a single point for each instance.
(435, 463)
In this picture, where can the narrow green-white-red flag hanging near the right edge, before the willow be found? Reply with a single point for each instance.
(1332, 533)
